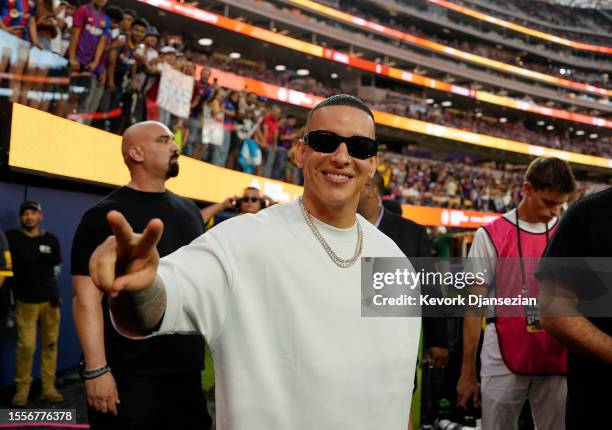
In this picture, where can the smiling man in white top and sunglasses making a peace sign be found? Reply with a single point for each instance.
(278, 295)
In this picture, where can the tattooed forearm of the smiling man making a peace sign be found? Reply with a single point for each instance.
(140, 311)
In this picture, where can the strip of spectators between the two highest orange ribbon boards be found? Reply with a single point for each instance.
(478, 48)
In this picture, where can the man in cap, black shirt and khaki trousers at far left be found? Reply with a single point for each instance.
(36, 262)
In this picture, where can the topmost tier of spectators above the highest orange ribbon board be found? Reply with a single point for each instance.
(553, 14)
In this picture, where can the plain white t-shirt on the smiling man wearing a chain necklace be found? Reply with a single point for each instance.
(284, 325)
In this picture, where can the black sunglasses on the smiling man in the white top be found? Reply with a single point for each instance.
(360, 147)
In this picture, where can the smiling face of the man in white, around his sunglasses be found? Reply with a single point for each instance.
(336, 179)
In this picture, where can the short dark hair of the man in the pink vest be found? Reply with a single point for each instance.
(551, 173)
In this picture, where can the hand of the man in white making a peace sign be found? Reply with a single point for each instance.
(126, 261)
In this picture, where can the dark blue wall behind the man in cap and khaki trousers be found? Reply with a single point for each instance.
(62, 213)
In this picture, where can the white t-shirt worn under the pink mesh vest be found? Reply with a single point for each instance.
(492, 363)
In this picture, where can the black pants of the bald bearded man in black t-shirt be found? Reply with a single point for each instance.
(147, 402)
